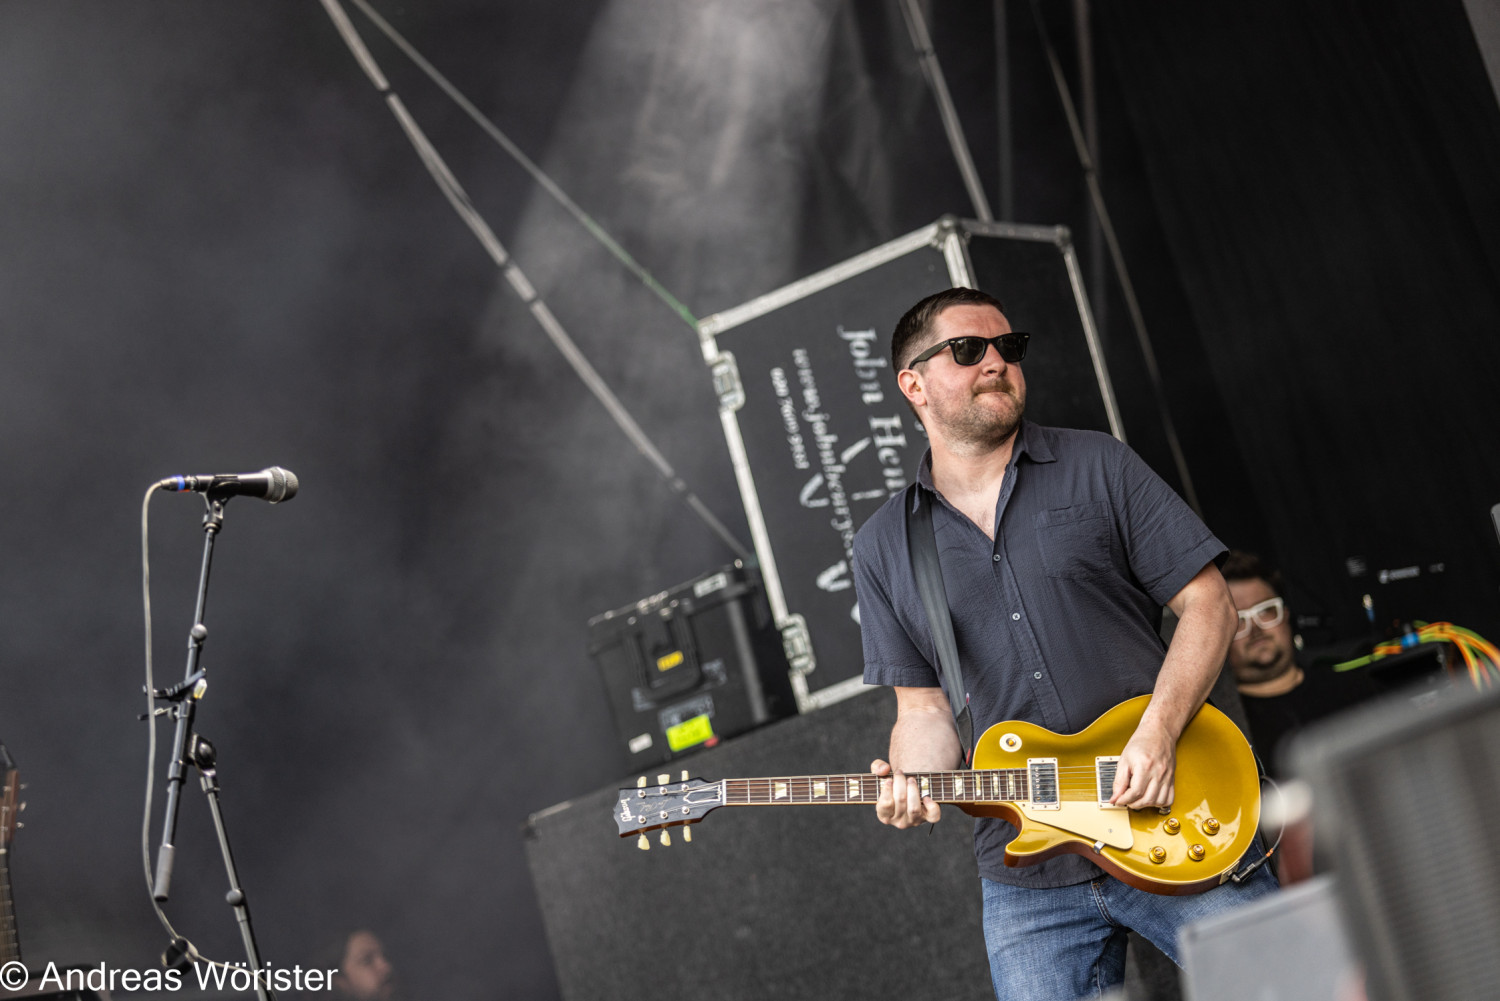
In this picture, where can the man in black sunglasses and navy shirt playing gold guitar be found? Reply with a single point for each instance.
(1058, 552)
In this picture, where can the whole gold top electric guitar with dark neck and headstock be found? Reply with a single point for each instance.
(1054, 789)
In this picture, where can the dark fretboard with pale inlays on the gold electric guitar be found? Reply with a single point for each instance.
(995, 786)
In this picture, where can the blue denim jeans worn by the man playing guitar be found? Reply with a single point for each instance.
(1066, 943)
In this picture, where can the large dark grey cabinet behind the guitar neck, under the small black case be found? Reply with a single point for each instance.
(817, 903)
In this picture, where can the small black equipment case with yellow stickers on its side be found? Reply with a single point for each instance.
(692, 666)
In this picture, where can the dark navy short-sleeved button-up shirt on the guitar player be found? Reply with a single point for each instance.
(1057, 619)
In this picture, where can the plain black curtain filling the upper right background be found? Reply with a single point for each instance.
(1325, 176)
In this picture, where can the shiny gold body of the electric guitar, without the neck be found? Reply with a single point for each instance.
(1189, 850)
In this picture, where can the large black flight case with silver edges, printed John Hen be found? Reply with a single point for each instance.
(820, 434)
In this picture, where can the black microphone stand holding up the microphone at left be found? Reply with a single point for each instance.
(191, 748)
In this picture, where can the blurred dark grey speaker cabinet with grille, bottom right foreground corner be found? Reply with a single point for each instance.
(1405, 811)
